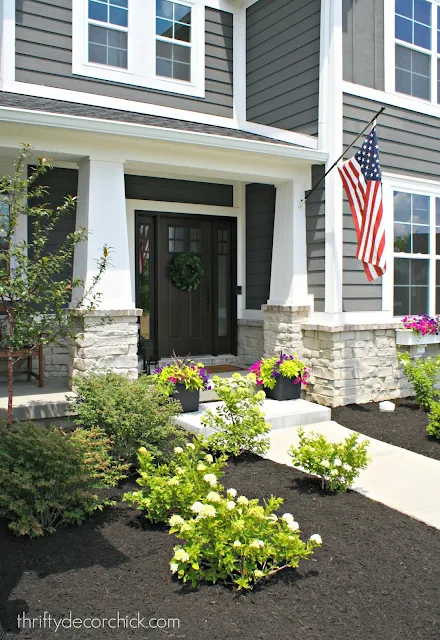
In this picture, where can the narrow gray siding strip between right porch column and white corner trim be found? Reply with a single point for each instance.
(315, 228)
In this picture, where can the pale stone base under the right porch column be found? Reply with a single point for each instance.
(282, 329)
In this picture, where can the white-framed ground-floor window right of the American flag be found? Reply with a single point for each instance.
(416, 253)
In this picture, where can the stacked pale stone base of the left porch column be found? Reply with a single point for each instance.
(106, 340)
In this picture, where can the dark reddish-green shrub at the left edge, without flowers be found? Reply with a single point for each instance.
(49, 478)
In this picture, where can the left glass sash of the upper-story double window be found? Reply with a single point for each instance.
(108, 32)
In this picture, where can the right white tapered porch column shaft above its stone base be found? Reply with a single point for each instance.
(288, 283)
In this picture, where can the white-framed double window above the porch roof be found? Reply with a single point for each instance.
(157, 44)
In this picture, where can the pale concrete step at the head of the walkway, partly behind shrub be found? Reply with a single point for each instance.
(281, 415)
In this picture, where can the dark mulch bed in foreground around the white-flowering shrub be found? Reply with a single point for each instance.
(377, 577)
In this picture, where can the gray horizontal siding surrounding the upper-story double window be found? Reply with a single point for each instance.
(44, 56)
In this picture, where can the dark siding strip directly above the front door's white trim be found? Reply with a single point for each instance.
(166, 190)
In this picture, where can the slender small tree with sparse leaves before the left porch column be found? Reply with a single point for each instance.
(36, 299)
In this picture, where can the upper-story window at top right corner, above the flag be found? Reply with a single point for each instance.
(417, 49)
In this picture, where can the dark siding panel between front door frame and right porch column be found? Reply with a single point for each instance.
(260, 215)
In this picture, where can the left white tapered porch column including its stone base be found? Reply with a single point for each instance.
(107, 337)
